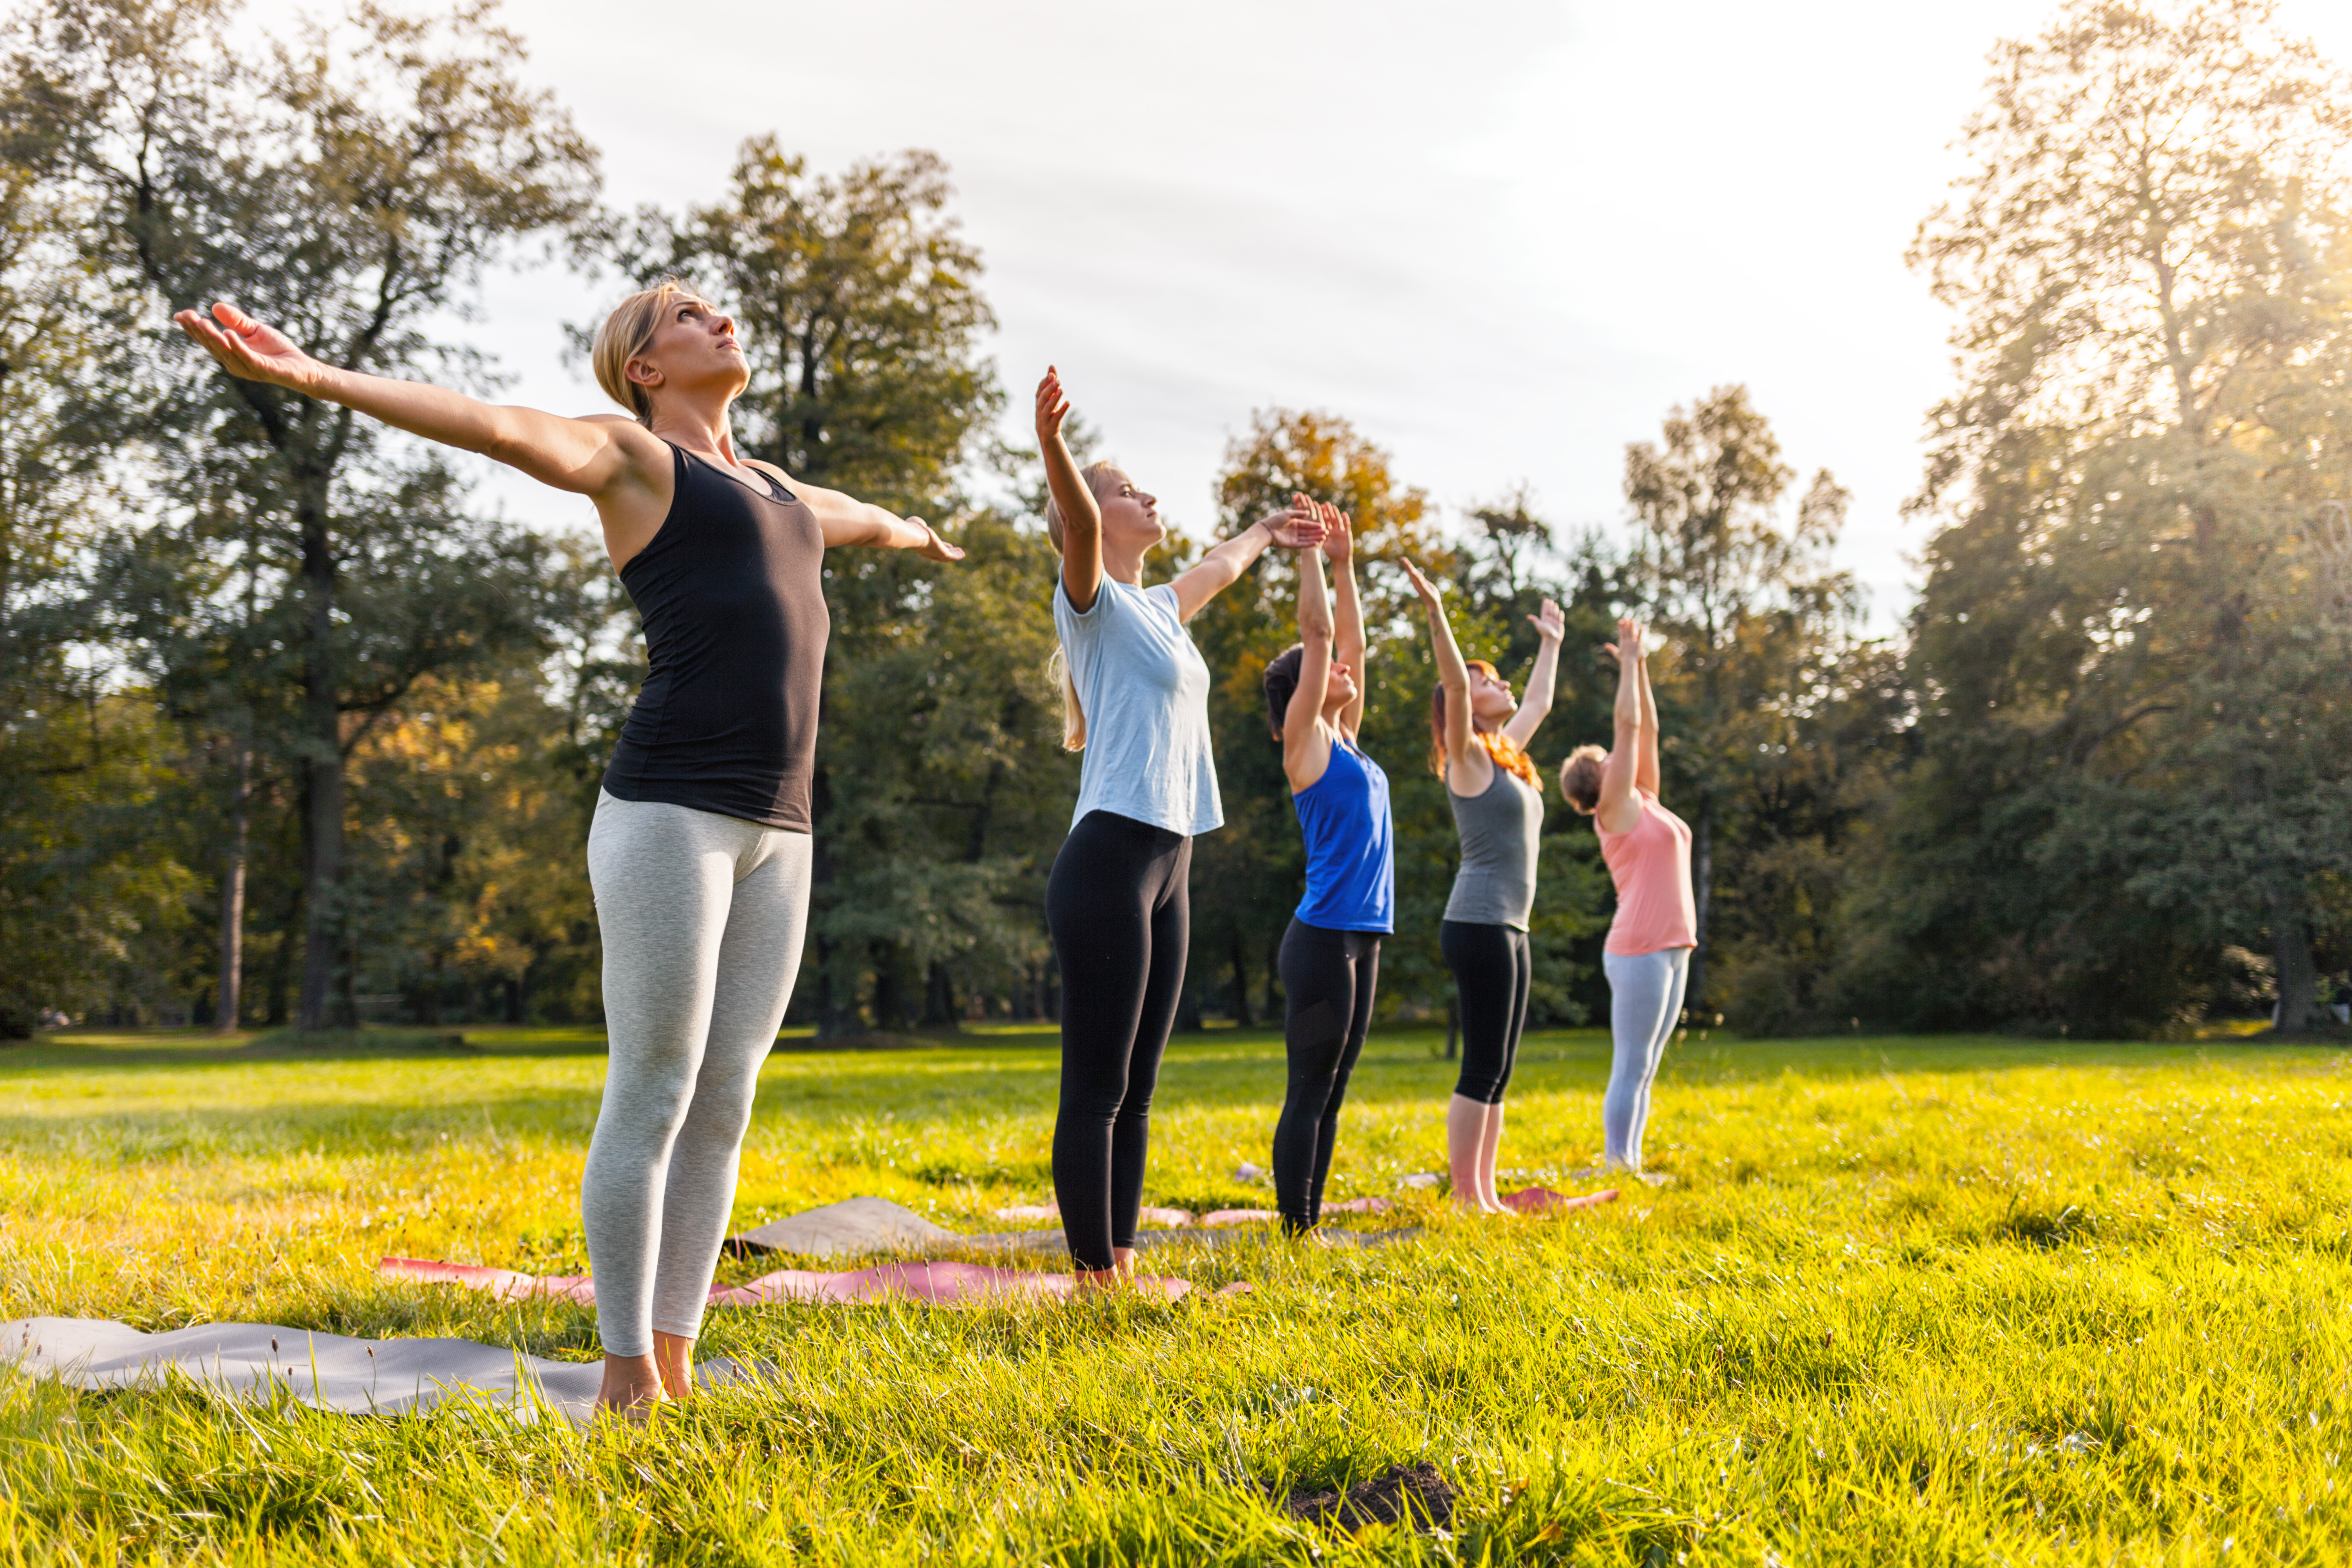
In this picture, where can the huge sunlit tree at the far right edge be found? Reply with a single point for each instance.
(2132, 746)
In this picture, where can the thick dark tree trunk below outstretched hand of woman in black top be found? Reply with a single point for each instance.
(321, 777)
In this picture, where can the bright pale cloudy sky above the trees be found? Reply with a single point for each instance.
(1499, 239)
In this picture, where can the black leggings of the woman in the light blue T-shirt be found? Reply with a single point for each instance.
(1121, 911)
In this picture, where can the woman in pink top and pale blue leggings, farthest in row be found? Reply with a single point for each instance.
(1657, 925)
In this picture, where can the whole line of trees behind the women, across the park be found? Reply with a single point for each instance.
(295, 732)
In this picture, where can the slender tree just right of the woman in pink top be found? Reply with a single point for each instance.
(1751, 605)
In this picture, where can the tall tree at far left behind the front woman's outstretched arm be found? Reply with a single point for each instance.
(349, 189)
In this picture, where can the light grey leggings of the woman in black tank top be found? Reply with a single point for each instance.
(702, 920)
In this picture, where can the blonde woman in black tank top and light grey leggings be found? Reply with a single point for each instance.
(700, 850)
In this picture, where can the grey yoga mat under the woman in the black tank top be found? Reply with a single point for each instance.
(326, 1372)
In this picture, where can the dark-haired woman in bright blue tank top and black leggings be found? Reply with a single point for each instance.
(1332, 951)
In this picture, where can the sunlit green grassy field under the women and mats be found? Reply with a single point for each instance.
(1951, 1301)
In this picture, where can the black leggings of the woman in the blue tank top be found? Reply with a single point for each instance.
(1330, 979)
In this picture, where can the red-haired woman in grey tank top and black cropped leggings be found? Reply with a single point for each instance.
(1478, 749)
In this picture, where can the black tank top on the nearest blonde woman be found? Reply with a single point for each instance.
(735, 629)
